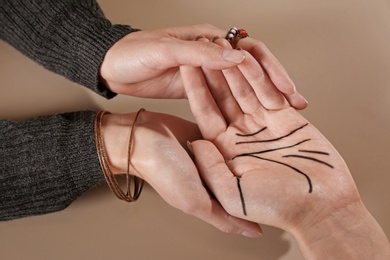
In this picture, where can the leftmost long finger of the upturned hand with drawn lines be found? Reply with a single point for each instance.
(202, 103)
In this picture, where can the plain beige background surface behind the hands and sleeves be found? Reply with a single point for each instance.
(338, 54)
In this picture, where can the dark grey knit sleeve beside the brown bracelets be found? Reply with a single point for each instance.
(46, 163)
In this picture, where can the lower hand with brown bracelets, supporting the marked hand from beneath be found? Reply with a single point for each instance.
(160, 158)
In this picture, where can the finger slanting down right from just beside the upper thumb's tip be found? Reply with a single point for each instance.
(267, 93)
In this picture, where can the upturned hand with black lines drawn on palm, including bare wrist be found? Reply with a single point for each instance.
(275, 168)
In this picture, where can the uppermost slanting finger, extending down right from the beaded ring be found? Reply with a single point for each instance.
(276, 72)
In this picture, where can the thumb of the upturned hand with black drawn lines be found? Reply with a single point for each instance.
(218, 178)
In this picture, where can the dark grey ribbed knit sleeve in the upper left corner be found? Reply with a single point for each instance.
(68, 37)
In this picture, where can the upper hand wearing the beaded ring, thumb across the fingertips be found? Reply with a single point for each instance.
(146, 63)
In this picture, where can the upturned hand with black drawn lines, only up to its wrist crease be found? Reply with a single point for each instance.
(271, 167)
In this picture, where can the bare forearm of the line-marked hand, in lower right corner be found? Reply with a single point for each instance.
(351, 233)
